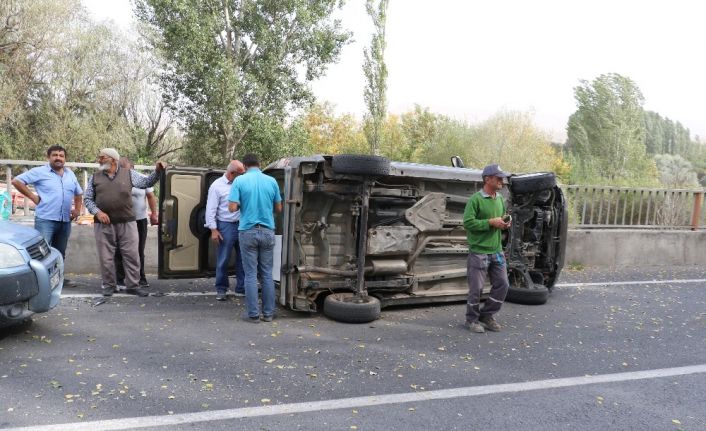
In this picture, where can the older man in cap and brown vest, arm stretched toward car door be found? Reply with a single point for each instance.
(108, 196)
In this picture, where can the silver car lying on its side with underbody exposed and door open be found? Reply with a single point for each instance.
(359, 233)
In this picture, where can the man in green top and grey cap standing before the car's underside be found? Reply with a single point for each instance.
(483, 220)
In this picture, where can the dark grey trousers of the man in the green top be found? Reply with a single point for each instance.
(478, 266)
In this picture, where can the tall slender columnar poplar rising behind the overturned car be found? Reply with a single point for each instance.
(375, 71)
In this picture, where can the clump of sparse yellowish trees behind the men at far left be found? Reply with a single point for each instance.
(69, 81)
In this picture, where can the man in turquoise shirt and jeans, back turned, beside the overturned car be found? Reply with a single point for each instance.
(257, 196)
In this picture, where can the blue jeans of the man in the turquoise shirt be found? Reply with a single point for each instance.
(257, 246)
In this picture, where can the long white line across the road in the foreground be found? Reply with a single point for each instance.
(367, 401)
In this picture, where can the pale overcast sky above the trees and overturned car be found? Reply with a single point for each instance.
(469, 59)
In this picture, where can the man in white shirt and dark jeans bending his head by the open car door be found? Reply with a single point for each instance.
(224, 230)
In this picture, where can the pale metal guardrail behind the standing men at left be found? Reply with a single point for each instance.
(7, 167)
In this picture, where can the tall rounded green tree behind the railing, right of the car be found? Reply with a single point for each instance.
(606, 134)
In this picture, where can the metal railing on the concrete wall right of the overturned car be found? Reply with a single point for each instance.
(643, 208)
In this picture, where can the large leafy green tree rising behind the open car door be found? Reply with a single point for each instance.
(234, 63)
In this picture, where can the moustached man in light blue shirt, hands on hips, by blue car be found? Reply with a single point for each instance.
(56, 187)
